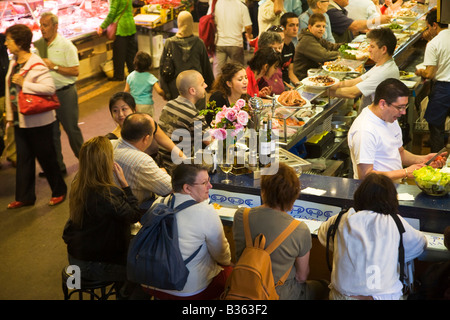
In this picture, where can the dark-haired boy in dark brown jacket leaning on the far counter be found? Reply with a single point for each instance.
(312, 50)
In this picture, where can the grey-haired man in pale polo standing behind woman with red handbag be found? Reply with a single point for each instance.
(61, 57)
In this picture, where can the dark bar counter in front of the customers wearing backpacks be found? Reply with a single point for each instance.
(431, 213)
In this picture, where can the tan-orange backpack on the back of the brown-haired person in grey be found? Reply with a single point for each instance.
(252, 278)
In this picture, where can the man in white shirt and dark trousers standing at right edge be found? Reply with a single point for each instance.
(437, 63)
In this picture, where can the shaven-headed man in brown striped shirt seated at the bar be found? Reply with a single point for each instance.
(180, 119)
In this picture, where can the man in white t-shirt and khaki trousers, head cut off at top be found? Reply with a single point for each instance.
(232, 19)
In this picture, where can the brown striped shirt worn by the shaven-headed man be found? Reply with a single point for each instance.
(181, 121)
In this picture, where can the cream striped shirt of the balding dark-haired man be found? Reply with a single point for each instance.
(141, 172)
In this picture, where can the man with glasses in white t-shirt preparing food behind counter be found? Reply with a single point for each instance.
(375, 137)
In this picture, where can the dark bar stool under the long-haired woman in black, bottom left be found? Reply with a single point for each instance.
(89, 287)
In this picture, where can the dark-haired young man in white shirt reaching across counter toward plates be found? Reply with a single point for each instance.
(381, 48)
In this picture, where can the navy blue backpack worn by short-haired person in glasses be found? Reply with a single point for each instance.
(154, 256)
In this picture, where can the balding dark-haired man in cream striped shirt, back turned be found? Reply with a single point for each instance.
(145, 178)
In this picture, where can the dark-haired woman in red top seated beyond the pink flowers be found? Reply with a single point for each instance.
(264, 63)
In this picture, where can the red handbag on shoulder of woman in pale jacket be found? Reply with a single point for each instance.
(36, 103)
